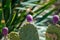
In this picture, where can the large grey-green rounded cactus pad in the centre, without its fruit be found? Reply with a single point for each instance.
(28, 32)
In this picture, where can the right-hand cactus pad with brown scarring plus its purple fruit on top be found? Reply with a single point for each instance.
(52, 32)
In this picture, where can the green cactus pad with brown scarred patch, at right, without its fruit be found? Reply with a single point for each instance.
(53, 33)
